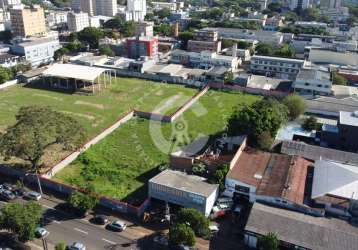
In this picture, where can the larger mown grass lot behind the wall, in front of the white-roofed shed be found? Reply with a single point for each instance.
(94, 112)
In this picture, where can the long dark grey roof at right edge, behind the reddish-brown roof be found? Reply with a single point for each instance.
(314, 153)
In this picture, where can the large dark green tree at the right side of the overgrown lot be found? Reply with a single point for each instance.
(252, 120)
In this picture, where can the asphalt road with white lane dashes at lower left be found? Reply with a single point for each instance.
(65, 228)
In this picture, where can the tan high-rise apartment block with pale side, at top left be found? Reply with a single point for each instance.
(27, 21)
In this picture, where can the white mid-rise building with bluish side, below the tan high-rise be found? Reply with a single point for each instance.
(37, 51)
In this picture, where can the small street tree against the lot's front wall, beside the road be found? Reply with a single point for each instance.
(82, 202)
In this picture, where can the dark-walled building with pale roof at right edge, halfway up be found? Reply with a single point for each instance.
(343, 136)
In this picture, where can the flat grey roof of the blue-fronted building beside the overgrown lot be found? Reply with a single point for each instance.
(182, 181)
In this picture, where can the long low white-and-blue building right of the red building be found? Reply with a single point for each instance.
(204, 59)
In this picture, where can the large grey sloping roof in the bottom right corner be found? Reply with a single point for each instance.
(317, 233)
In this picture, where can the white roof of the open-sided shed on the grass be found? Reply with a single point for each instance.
(75, 71)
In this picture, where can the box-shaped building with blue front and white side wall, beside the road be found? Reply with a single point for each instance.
(184, 190)
